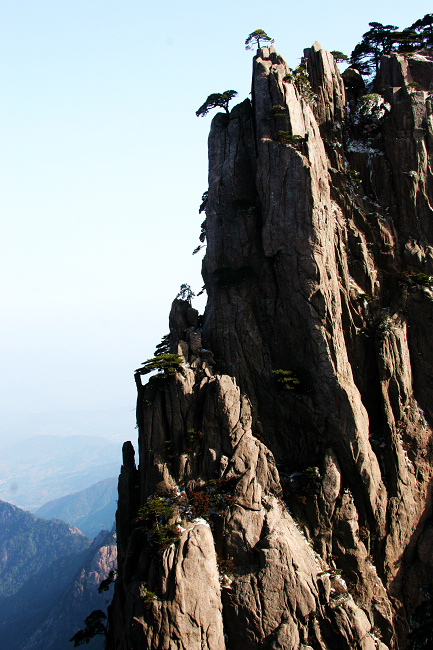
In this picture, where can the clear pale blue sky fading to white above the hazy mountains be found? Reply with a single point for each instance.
(102, 166)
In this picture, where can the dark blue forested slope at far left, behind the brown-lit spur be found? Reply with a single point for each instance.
(38, 559)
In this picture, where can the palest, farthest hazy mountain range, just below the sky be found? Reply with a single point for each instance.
(45, 468)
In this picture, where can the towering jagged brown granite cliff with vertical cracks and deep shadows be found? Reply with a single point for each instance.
(303, 511)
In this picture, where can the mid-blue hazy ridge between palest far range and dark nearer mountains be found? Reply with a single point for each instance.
(91, 510)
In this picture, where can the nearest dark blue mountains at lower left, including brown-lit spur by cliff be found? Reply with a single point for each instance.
(49, 577)
